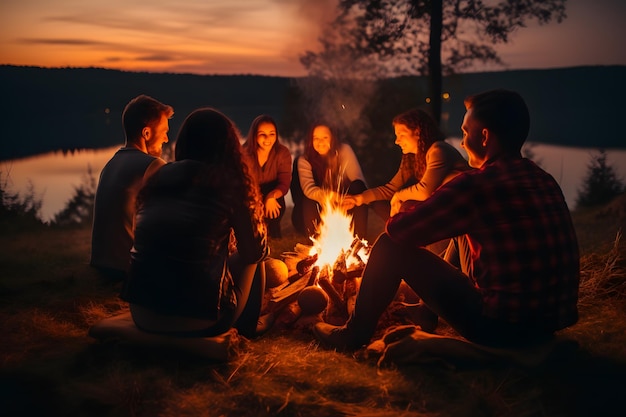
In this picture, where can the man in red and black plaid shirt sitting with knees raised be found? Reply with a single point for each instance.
(510, 276)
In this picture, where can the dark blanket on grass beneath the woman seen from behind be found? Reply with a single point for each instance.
(121, 328)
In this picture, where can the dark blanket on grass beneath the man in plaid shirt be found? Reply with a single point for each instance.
(408, 344)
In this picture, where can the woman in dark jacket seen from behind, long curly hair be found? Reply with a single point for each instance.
(200, 239)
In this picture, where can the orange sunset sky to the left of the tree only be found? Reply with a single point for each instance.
(238, 37)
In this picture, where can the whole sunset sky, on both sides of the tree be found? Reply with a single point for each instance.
(254, 36)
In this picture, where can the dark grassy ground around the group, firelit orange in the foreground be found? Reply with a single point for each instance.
(49, 298)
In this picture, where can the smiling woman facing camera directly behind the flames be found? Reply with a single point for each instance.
(327, 169)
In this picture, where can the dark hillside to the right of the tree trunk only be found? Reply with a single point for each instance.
(580, 106)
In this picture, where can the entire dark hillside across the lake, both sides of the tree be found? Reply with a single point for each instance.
(71, 108)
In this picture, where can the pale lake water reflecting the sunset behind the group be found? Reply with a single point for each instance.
(55, 175)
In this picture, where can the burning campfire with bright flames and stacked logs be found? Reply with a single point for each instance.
(324, 277)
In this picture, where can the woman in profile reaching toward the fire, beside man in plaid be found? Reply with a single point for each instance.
(427, 163)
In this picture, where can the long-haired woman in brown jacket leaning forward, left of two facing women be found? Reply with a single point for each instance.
(269, 162)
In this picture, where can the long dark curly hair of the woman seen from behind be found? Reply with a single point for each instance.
(208, 136)
